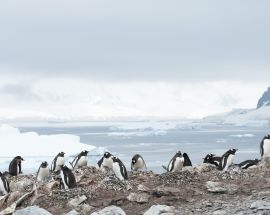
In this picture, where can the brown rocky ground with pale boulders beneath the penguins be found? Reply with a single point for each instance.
(195, 190)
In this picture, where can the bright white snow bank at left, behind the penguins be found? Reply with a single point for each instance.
(16, 143)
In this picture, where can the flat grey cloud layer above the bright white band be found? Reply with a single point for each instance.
(137, 40)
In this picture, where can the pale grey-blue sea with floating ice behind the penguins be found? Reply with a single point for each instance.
(157, 146)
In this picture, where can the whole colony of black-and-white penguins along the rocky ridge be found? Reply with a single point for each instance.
(59, 171)
